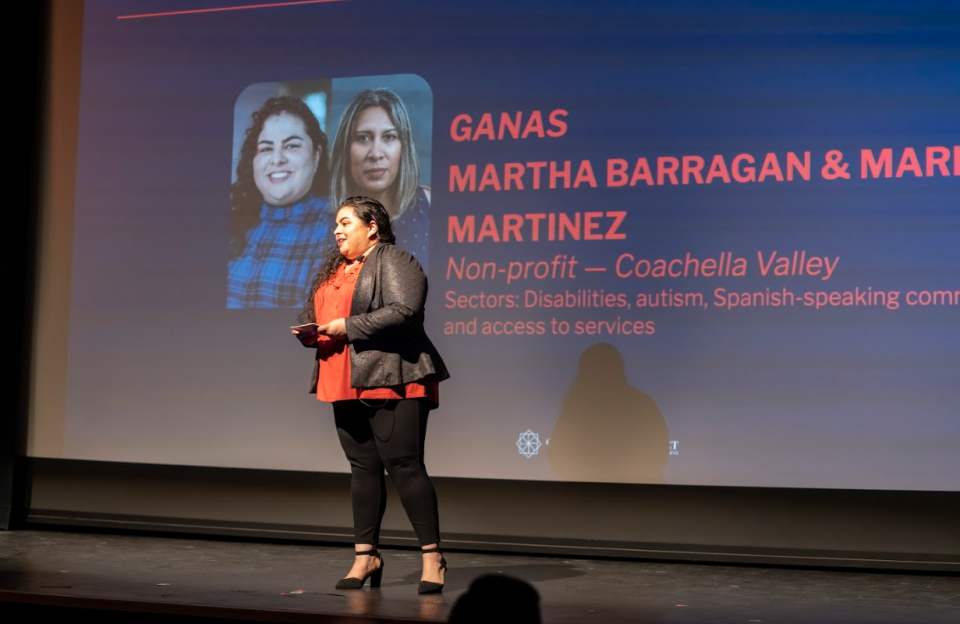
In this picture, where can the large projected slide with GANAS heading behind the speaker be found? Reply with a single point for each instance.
(682, 243)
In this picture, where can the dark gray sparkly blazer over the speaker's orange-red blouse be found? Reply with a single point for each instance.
(388, 345)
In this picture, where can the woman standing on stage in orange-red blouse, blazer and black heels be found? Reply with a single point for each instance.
(377, 367)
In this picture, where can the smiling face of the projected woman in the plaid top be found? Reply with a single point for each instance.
(286, 160)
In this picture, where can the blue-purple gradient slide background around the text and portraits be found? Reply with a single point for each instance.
(847, 397)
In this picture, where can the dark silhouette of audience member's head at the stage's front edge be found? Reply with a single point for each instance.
(497, 598)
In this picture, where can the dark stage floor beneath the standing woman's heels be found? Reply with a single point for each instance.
(52, 575)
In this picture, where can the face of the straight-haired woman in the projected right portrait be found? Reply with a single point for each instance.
(375, 150)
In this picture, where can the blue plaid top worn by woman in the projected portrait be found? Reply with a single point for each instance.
(282, 255)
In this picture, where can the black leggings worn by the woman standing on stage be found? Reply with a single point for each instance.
(388, 435)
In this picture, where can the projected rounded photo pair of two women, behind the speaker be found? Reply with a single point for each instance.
(290, 174)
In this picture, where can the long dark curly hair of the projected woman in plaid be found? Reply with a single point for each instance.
(245, 198)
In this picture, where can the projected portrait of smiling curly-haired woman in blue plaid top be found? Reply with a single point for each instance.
(280, 214)
